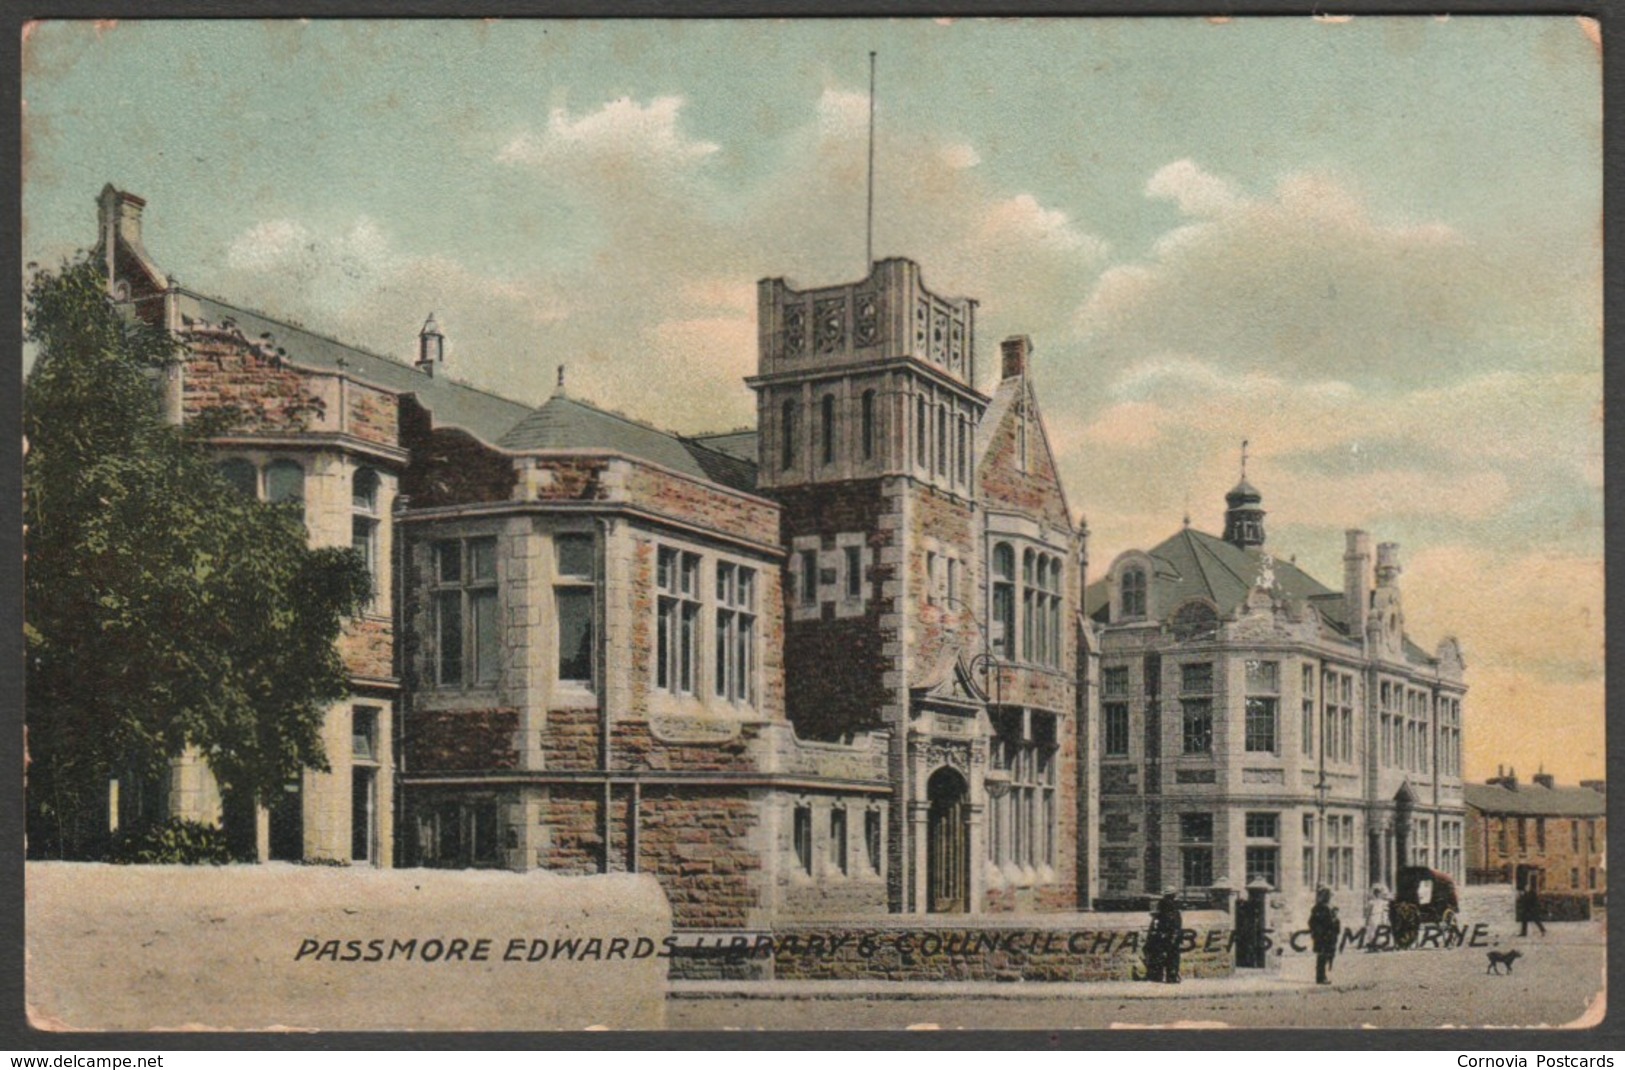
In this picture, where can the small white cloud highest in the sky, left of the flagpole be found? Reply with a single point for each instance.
(622, 131)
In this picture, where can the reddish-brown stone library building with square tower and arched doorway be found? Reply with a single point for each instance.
(830, 668)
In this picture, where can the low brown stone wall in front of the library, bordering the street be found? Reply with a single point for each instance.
(1070, 947)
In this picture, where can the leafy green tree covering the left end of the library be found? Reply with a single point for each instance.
(163, 609)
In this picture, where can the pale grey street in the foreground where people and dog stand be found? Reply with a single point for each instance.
(1553, 985)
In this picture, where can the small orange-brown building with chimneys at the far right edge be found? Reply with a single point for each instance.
(1556, 837)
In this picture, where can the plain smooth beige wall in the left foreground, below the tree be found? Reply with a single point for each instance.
(285, 947)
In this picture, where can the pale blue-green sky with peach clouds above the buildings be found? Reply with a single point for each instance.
(1371, 246)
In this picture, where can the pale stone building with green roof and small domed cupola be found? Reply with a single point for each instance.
(1257, 724)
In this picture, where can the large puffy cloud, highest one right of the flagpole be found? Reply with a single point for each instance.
(1311, 281)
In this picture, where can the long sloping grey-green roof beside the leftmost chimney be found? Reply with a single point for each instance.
(454, 404)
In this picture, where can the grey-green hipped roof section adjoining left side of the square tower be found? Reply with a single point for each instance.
(565, 424)
